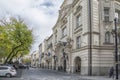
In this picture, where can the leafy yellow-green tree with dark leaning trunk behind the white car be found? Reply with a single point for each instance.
(16, 39)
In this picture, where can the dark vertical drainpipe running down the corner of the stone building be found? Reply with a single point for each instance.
(90, 40)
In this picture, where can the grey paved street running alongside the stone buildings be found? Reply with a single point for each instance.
(39, 74)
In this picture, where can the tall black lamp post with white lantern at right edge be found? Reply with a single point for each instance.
(116, 48)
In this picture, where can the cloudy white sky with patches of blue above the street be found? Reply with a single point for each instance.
(39, 15)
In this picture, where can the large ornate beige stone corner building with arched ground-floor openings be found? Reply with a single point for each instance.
(82, 40)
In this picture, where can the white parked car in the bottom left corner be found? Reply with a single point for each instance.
(7, 71)
